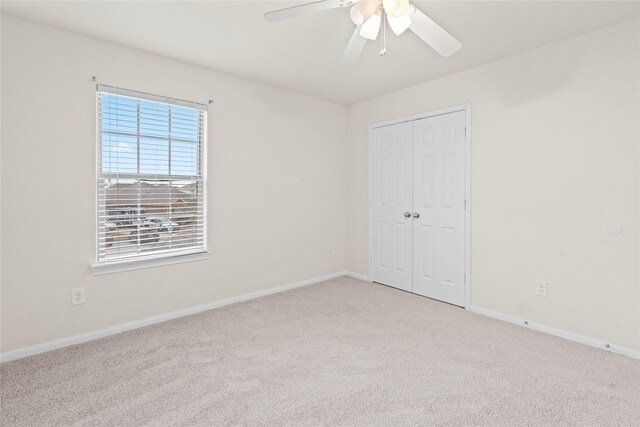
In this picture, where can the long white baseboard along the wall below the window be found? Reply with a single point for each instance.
(112, 330)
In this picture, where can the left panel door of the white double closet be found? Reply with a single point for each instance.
(391, 205)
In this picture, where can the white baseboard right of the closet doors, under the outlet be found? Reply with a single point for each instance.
(614, 348)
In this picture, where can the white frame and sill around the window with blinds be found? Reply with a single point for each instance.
(157, 258)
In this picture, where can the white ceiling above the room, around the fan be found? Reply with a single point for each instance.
(302, 54)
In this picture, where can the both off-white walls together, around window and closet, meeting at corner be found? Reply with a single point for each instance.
(555, 162)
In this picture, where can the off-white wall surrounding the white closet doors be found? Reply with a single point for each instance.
(555, 161)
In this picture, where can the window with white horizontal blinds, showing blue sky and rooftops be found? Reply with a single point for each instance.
(151, 179)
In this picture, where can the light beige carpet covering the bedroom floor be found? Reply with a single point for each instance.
(342, 352)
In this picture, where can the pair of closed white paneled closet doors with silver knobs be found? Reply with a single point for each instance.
(418, 206)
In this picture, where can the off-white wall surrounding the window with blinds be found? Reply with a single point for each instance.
(277, 196)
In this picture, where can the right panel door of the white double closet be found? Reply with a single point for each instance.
(439, 207)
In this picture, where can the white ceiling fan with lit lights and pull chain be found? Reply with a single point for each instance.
(369, 16)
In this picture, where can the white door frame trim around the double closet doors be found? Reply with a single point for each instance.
(467, 214)
